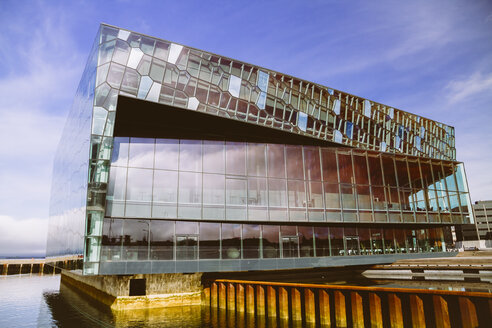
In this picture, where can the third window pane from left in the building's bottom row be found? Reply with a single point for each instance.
(161, 240)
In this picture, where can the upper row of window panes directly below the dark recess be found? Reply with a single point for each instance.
(288, 161)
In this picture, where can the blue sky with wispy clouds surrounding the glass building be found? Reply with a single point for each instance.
(432, 58)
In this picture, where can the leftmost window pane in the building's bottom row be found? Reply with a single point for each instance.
(112, 237)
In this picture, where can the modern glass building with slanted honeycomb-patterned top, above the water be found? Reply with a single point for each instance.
(174, 159)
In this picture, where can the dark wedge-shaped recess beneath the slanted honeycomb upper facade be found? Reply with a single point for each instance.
(138, 118)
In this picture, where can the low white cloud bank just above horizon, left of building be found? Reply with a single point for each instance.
(23, 237)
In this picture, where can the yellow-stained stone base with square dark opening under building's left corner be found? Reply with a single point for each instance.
(142, 291)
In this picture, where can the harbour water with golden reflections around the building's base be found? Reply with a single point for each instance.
(30, 301)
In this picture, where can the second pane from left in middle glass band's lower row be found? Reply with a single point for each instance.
(139, 193)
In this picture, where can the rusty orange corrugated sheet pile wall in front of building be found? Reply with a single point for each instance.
(253, 303)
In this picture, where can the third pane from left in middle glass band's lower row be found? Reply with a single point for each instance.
(165, 195)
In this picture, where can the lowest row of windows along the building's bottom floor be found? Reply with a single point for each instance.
(135, 240)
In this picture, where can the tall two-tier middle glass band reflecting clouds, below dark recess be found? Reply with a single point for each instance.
(220, 180)
